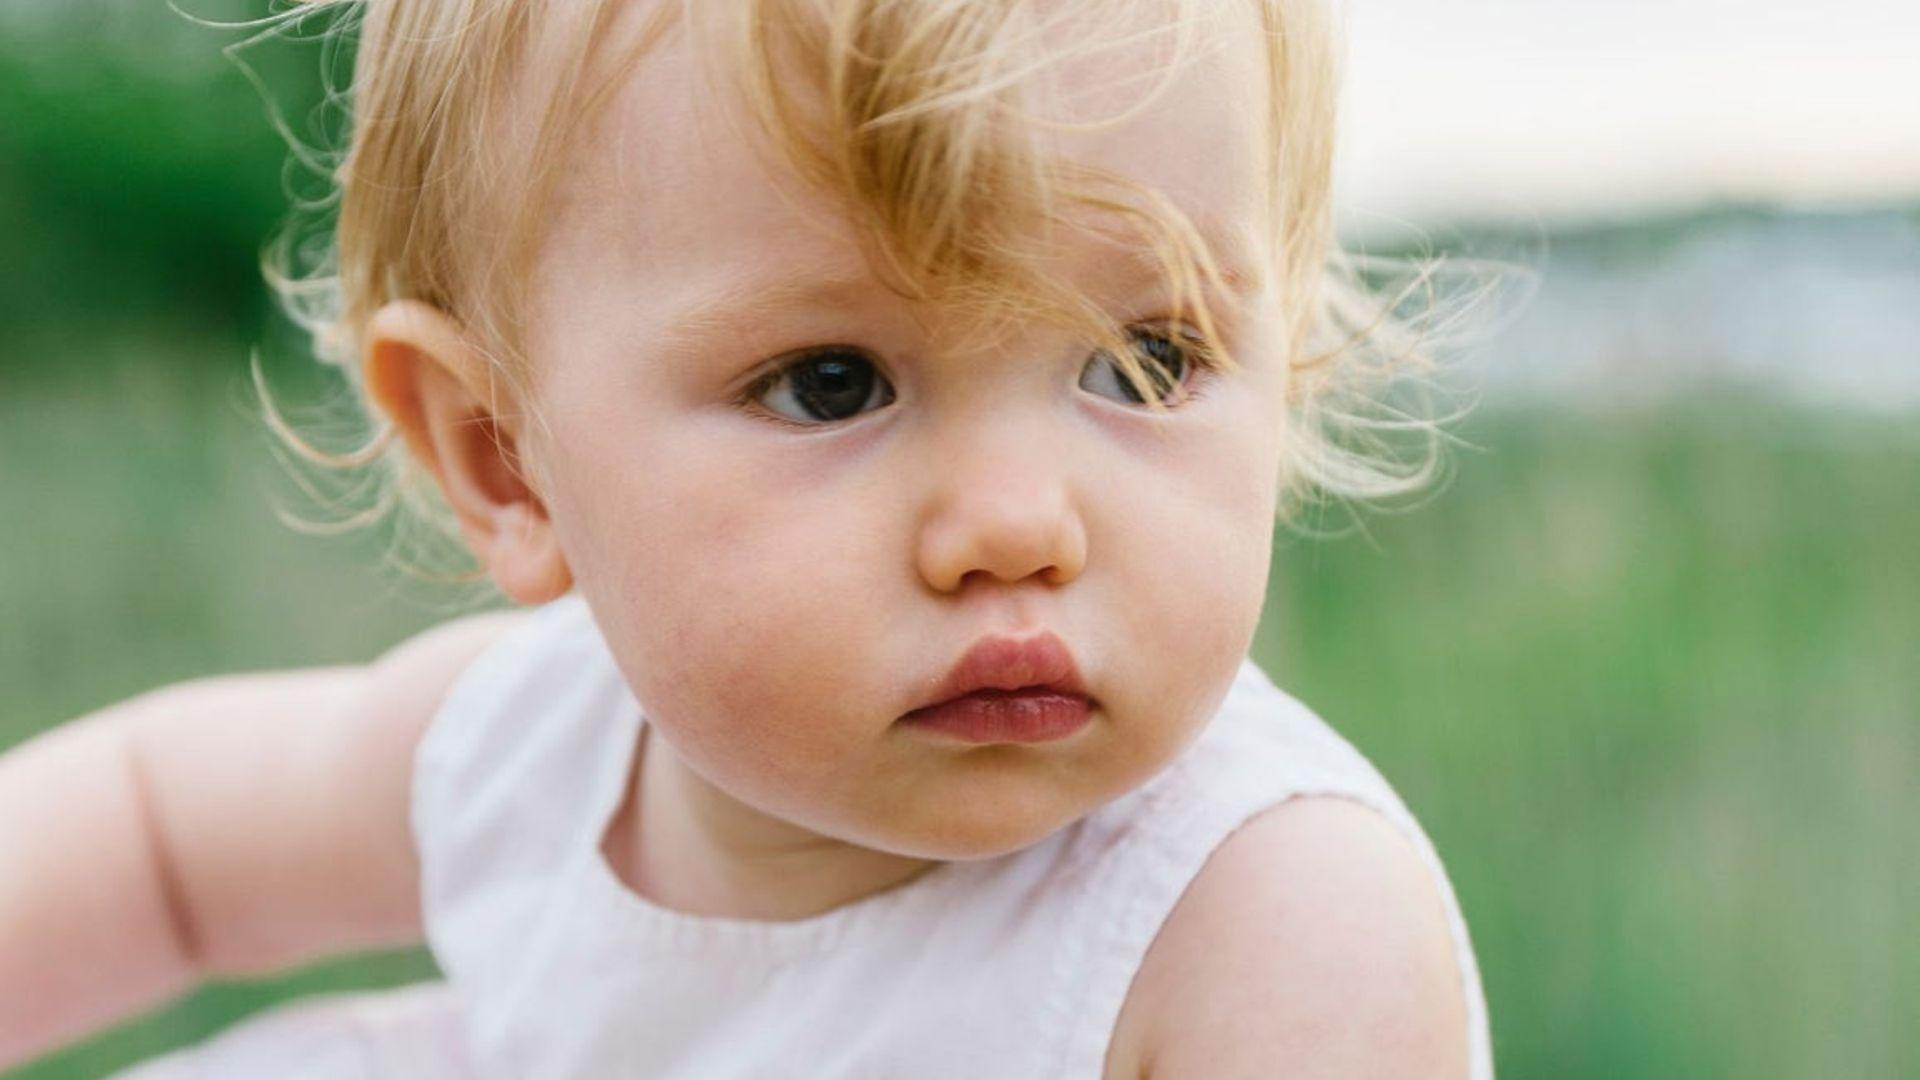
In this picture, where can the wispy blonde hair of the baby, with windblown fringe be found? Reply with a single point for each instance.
(924, 135)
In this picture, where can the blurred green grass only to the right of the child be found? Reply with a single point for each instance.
(1650, 683)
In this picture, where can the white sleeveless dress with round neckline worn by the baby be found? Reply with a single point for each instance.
(1011, 968)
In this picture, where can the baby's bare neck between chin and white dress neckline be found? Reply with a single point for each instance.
(694, 848)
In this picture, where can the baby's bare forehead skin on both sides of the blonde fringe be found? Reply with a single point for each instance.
(673, 191)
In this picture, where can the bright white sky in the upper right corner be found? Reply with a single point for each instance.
(1543, 109)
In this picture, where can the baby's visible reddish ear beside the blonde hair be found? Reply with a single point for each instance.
(425, 374)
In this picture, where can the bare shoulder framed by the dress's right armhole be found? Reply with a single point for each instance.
(1314, 933)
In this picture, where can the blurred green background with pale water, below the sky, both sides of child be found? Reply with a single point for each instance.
(1646, 668)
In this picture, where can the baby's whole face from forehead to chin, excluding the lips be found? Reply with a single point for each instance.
(779, 597)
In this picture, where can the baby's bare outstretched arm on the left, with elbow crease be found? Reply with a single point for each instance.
(226, 825)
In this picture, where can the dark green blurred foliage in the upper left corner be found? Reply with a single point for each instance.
(139, 176)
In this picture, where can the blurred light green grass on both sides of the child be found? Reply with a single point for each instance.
(1646, 679)
